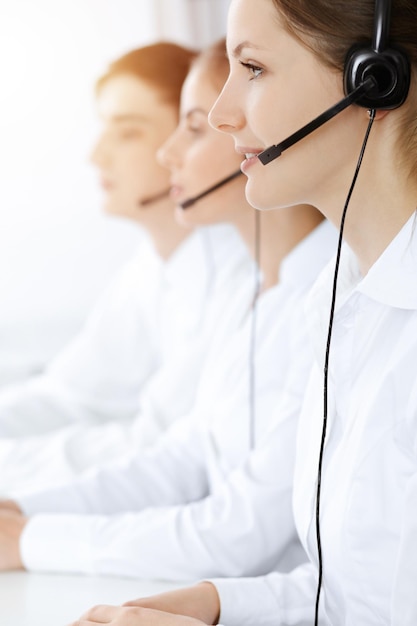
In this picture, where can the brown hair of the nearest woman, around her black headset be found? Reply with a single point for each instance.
(329, 28)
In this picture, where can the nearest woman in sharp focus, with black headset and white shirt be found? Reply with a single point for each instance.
(355, 490)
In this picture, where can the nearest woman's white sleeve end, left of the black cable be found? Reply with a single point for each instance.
(273, 600)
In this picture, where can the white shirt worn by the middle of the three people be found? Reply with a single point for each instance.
(200, 503)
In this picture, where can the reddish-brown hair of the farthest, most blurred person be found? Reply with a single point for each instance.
(163, 65)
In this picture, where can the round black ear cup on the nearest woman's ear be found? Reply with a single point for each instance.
(391, 71)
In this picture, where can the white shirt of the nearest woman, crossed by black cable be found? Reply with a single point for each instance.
(369, 482)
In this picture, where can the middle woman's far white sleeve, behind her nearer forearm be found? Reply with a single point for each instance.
(169, 473)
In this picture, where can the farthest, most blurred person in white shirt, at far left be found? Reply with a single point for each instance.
(134, 366)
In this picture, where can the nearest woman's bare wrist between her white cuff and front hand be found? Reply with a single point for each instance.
(200, 602)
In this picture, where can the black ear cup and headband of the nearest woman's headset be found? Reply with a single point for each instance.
(388, 66)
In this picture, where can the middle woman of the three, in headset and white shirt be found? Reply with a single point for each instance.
(194, 505)
